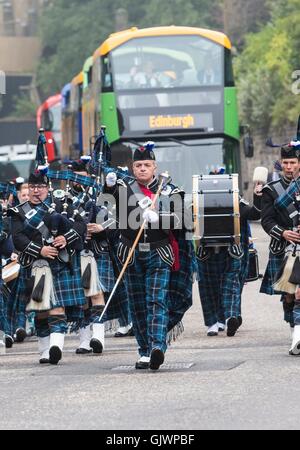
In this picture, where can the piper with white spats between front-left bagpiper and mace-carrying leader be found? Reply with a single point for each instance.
(97, 256)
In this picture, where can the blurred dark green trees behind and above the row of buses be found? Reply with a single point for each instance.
(72, 29)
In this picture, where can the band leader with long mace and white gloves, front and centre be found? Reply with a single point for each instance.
(149, 274)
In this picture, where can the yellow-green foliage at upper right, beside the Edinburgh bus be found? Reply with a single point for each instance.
(265, 70)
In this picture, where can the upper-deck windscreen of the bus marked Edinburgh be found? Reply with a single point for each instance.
(168, 62)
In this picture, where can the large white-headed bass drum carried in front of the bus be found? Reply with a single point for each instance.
(216, 210)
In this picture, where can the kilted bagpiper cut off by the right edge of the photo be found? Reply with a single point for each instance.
(280, 220)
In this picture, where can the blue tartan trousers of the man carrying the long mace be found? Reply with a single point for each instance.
(148, 283)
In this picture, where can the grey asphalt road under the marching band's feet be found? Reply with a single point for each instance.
(245, 382)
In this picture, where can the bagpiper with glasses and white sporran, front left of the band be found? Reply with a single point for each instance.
(50, 280)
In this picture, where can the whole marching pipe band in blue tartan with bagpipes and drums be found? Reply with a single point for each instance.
(80, 270)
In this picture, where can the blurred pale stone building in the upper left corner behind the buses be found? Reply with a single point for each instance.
(20, 49)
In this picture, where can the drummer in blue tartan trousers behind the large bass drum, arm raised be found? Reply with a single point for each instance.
(220, 278)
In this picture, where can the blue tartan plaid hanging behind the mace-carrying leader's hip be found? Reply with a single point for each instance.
(181, 283)
